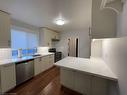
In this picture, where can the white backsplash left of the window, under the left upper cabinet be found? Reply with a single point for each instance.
(5, 53)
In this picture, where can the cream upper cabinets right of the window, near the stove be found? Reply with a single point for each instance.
(46, 36)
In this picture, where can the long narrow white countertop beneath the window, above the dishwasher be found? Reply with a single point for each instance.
(15, 60)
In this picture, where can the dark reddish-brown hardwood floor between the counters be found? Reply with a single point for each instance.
(47, 83)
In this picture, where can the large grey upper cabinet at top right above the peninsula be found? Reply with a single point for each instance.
(106, 15)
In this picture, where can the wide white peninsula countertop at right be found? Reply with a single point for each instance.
(93, 66)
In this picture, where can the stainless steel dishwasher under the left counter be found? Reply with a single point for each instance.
(24, 71)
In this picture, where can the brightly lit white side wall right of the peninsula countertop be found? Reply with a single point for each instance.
(115, 55)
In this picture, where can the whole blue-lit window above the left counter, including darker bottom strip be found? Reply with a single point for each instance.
(27, 40)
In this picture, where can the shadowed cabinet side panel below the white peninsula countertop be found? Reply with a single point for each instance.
(84, 83)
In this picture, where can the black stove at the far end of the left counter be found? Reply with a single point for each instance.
(58, 55)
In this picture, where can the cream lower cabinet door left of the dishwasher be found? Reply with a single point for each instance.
(8, 77)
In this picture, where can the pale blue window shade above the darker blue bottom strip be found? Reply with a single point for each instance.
(23, 39)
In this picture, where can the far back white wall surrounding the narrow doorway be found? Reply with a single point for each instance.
(84, 42)
